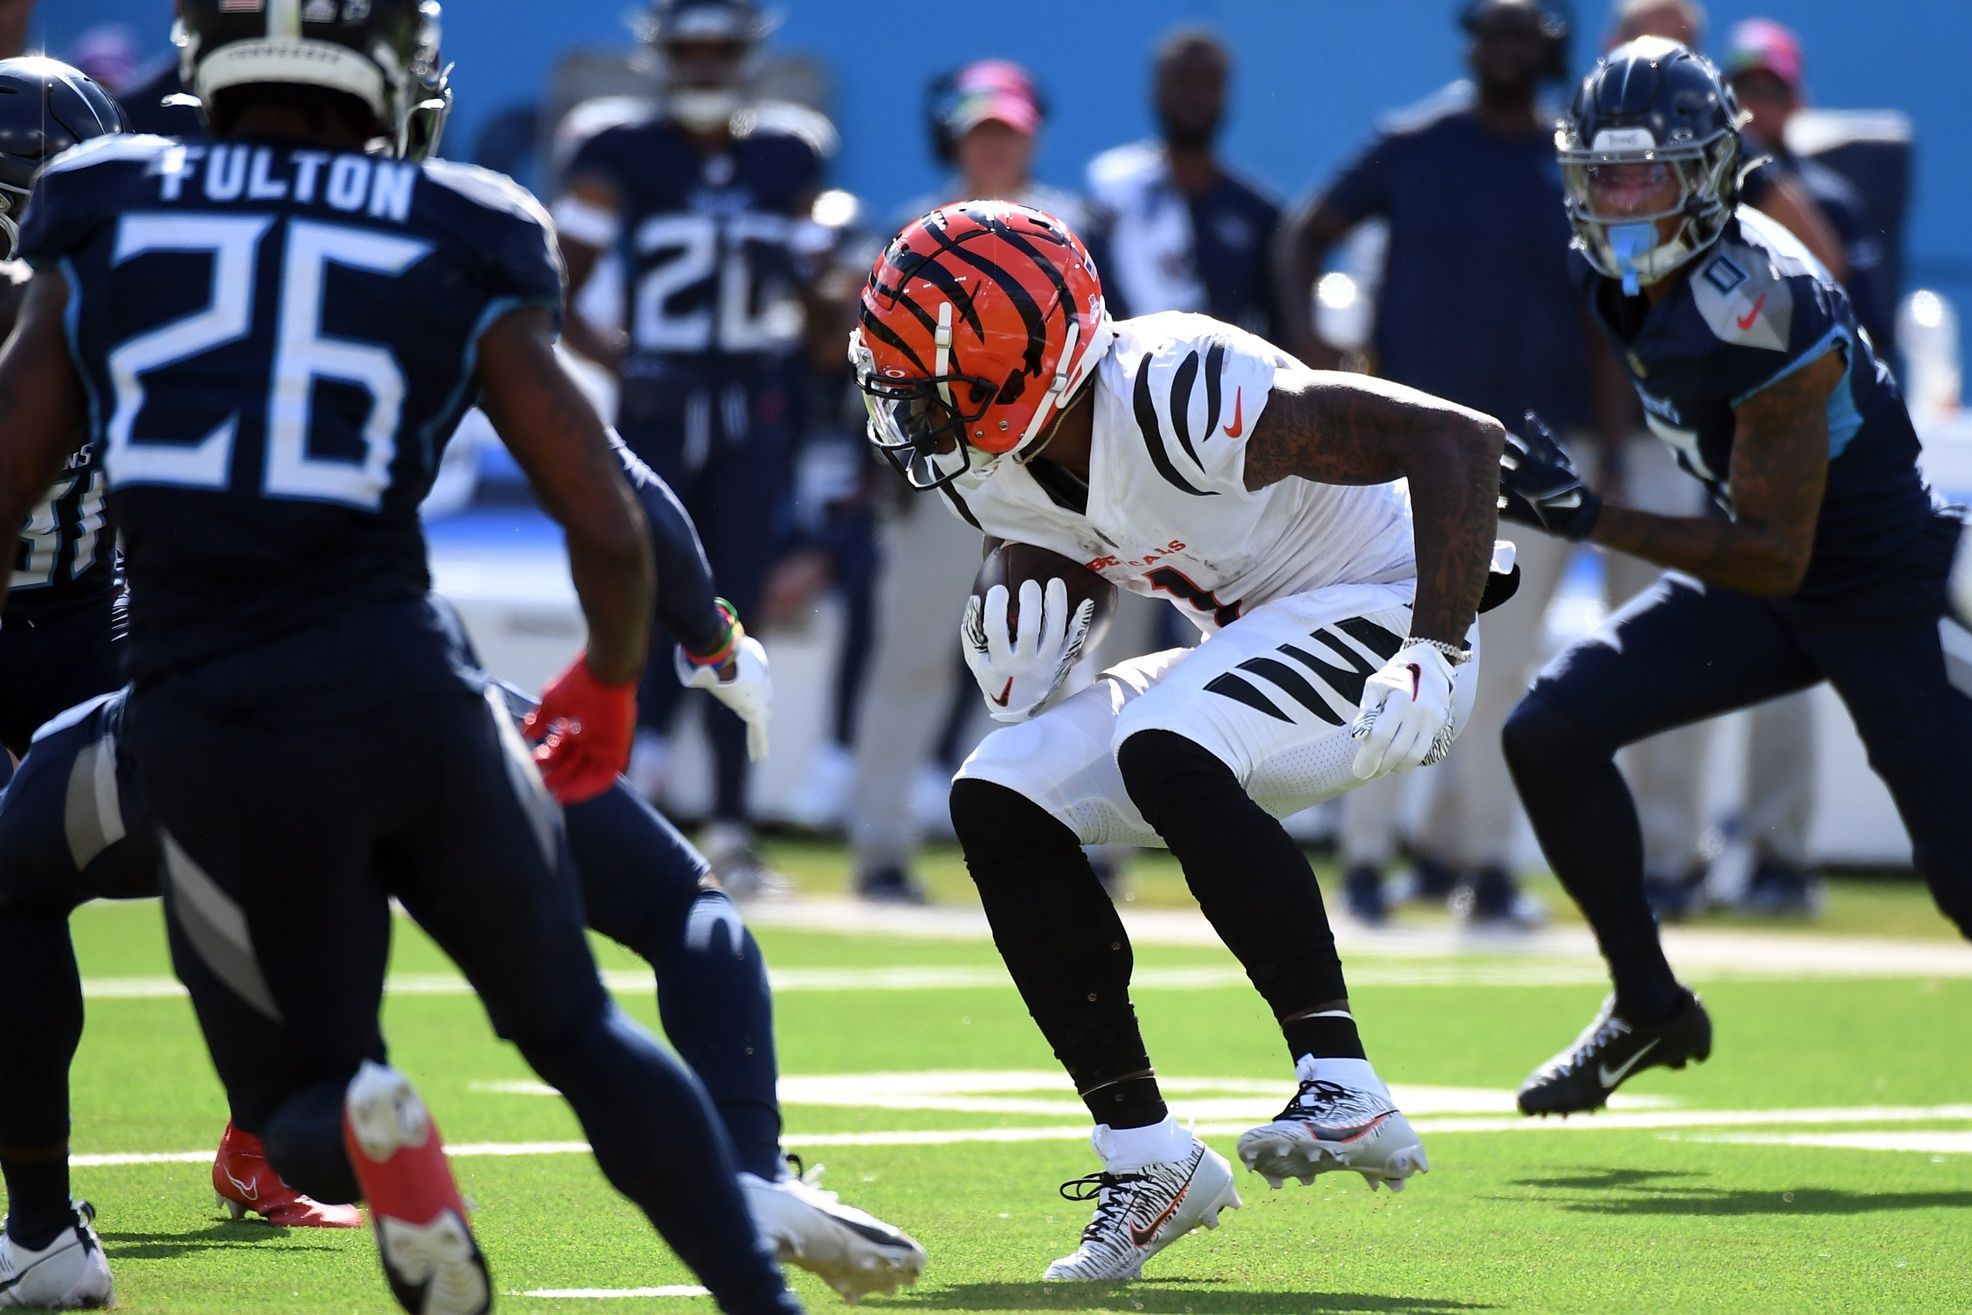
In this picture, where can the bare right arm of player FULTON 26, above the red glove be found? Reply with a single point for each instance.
(563, 447)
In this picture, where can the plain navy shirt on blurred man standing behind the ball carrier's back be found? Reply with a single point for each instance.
(1476, 303)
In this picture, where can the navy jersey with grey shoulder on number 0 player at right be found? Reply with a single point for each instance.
(1756, 309)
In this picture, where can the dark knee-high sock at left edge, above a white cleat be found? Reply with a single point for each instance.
(44, 1010)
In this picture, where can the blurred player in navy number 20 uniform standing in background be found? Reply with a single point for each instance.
(705, 194)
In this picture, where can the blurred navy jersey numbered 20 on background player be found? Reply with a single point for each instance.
(713, 247)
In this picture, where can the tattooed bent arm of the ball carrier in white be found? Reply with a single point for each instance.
(1354, 431)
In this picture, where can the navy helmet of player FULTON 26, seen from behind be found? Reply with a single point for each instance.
(382, 52)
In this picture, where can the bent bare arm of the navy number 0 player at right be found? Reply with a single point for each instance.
(1780, 468)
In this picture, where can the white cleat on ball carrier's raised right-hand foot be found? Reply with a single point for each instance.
(1336, 1127)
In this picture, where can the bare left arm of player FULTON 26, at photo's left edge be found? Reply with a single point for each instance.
(42, 405)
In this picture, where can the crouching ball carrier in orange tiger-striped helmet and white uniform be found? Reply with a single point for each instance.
(1182, 458)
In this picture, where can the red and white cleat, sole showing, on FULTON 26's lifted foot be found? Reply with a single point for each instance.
(427, 1247)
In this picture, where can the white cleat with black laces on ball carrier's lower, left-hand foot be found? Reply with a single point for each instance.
(1145, 1210)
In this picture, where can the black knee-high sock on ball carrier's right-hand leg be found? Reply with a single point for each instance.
(1253, 884)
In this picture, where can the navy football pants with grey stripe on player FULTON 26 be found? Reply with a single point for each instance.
(283, 847)
